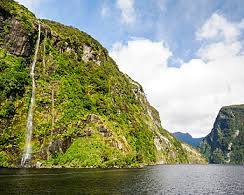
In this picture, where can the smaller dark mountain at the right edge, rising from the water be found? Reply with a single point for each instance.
(225, 143)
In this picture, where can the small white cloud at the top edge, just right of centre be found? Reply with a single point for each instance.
(128, 15)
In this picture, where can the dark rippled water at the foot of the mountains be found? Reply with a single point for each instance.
(161, 179)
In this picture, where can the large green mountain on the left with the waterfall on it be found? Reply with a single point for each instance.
(64, 102)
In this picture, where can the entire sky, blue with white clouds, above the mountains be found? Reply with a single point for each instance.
(188, 55)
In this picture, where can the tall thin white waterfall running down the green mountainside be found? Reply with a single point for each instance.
(28, 149)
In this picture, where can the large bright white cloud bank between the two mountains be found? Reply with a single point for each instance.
(188, 98)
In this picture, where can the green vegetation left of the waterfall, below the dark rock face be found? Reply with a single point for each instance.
(14, 78)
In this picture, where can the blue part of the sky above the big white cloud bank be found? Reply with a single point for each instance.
(174, 21)
